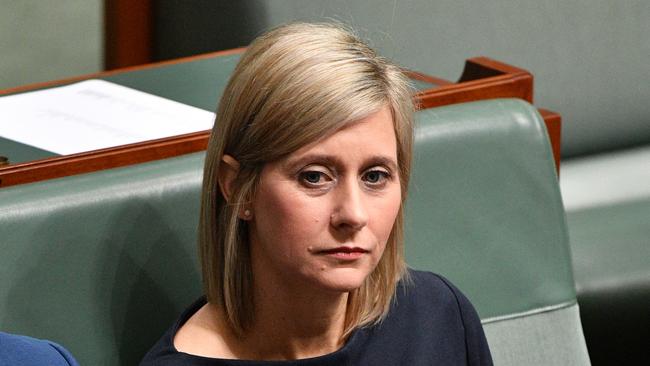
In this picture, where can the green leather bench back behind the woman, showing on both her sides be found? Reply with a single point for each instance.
(102, 263)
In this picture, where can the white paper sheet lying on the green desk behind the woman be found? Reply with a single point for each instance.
(95, 114)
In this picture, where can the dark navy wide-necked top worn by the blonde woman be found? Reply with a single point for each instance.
(430, 323)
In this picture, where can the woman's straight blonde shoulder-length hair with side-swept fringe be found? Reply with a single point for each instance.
(293, 86)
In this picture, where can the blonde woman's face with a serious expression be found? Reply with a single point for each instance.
(322, 215)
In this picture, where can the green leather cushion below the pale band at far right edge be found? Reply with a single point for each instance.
(611, 251)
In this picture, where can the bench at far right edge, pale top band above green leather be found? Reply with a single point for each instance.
(607, 199)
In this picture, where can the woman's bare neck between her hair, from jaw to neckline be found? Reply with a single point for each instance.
(294, 323)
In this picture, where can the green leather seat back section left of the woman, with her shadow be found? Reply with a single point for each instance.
(101, 263)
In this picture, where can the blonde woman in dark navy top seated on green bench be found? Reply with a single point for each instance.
(301, 220)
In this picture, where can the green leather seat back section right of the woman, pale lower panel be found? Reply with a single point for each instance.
(485, 210)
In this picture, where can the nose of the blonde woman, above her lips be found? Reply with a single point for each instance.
(349, 211)
